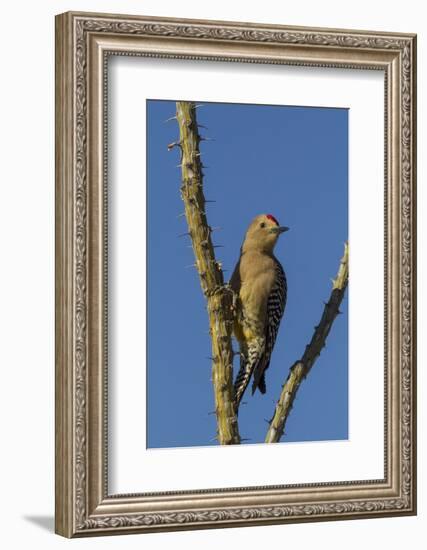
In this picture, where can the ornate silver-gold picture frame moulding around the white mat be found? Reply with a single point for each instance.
(83, 41)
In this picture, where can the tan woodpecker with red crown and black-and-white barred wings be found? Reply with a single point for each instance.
(259, 283)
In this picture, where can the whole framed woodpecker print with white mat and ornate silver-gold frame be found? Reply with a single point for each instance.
(235, 274)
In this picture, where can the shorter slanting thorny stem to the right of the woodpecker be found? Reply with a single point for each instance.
(302, 367)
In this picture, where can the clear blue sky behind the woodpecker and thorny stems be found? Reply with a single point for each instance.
(291, 162)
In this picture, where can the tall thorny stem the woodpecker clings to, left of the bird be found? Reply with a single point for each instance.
(219, 296)
